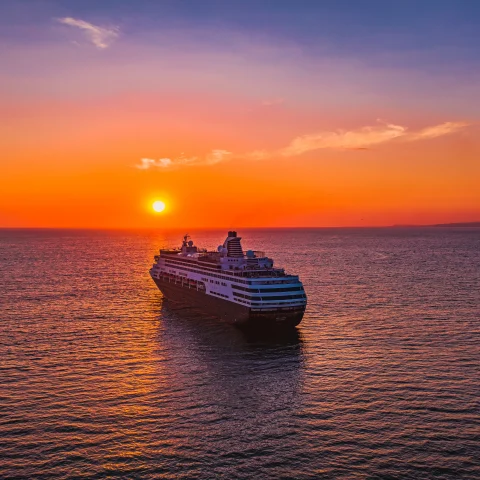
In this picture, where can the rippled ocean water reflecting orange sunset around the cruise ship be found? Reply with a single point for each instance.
(100, 377)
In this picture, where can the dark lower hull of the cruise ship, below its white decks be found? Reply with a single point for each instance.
(239, 315)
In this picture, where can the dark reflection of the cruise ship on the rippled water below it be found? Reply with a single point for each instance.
(243, 374)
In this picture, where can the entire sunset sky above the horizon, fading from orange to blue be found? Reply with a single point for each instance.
(240, 120)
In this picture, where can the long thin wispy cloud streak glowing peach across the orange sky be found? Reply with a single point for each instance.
(358, 139)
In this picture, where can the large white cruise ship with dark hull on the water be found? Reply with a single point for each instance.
(242, 288)
